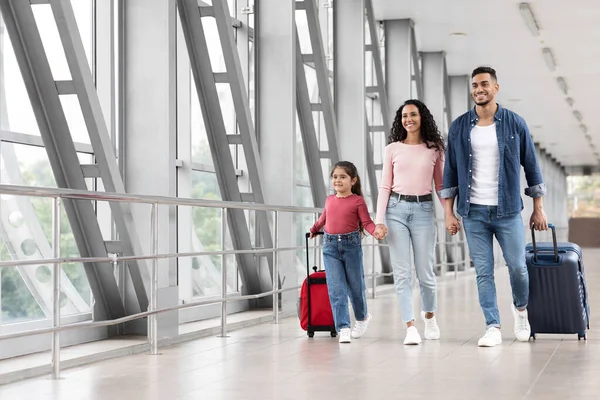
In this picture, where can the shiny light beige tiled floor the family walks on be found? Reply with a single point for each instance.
(279, 362)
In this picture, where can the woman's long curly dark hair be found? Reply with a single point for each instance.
(430, 133)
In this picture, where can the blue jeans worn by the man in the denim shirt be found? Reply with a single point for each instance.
(480, 227)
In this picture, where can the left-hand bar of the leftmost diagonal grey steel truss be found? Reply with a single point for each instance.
(52, 122)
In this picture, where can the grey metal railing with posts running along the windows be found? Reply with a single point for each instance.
(58, 194)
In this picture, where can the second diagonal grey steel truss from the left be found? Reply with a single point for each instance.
(195, 38)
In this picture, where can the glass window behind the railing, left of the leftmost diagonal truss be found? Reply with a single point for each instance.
(26, 234)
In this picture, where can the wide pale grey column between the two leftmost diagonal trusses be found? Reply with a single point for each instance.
(150, 131)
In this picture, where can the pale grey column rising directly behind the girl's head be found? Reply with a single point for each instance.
(349, 72)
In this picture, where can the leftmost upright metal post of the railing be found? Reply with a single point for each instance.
(56, 288)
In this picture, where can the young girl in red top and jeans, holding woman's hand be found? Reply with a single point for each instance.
(344, 218)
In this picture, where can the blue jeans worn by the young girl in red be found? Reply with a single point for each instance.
(342, 256)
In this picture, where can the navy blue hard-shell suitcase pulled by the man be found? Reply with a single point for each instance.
(558, 300)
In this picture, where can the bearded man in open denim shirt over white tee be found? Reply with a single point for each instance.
(486, 148)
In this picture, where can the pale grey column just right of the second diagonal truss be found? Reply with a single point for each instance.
(275, 38)
